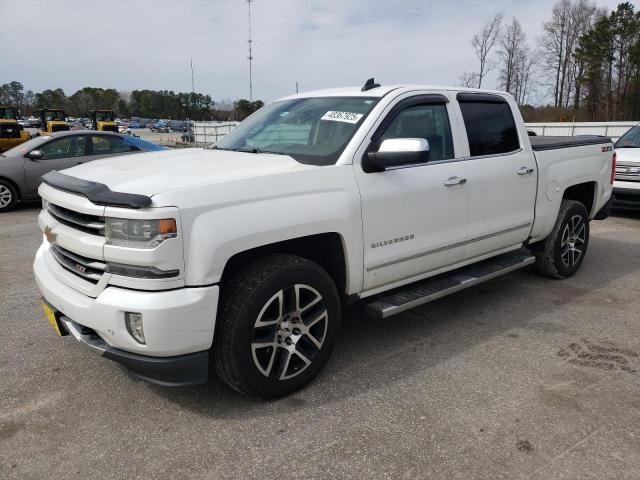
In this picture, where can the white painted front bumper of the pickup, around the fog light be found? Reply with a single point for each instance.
(176, 322)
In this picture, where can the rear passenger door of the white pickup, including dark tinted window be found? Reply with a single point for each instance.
(502, 175)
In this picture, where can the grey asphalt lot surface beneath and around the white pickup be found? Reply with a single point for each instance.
(522, 377)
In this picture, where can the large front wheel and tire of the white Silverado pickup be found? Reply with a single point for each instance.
(278, 323)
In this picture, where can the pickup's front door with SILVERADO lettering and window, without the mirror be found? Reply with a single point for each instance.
(414, 217)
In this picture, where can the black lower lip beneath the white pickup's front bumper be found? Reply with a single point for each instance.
(176, 371)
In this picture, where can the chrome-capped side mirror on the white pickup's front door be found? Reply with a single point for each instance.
(396, 152)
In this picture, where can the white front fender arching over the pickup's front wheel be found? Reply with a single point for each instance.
(222, 220)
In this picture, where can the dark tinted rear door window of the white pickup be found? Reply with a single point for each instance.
(491, 128)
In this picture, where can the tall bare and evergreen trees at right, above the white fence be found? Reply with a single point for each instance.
(586, 63)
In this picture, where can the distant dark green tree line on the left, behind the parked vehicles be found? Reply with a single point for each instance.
(137, 103)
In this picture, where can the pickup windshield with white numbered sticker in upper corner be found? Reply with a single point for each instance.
(311, 130)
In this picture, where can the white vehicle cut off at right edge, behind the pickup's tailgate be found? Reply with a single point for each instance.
(626, 188)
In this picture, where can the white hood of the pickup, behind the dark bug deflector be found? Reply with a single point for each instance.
(159, 172)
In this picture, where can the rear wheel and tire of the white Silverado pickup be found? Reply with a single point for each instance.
(562, 252)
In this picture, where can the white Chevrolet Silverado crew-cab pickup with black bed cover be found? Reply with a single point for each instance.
(238, 258)
